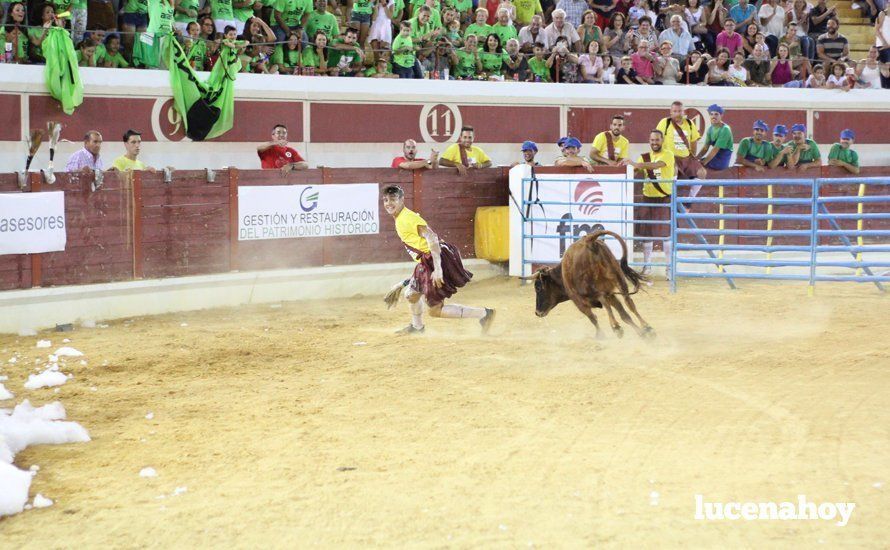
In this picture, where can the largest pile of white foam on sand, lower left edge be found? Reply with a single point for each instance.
(19, 428)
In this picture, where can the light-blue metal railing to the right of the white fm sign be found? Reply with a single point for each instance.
(811, 236)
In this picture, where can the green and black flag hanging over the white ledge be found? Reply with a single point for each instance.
(206, 107)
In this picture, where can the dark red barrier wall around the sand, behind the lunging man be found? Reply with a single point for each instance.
(140, 227)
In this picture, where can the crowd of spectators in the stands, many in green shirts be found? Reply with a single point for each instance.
(789, 43)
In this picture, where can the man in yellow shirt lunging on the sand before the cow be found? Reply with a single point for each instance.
(439, 271)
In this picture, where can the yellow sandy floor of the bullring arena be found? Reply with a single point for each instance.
(287, 431)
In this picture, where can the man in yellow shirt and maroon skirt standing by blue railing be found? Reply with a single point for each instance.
(658, 168)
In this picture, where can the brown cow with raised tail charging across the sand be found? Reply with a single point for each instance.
(591, 277)
